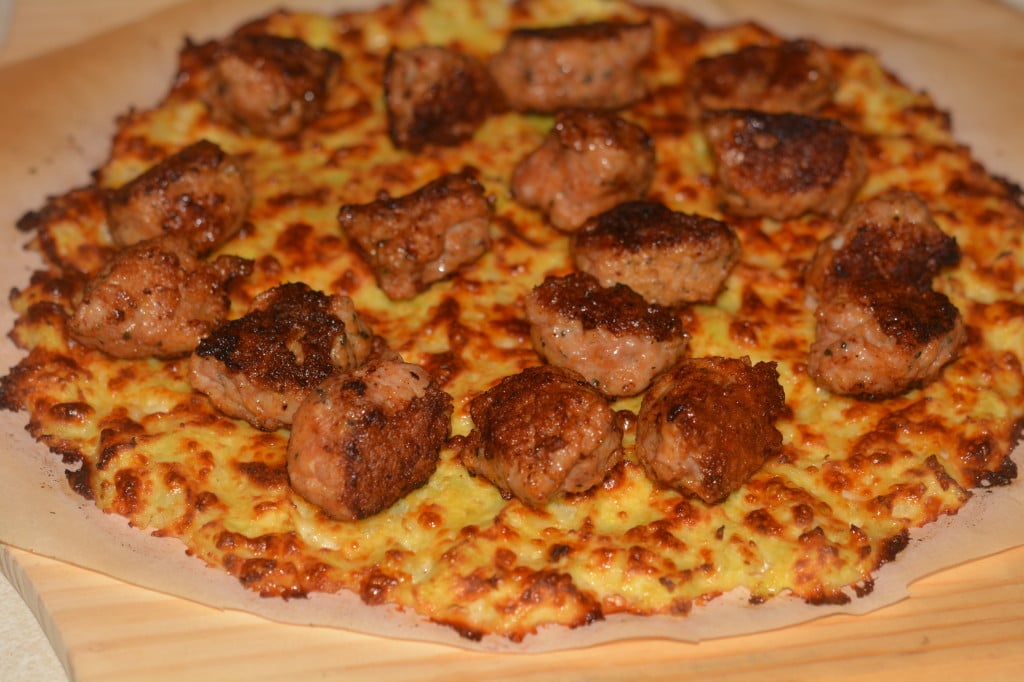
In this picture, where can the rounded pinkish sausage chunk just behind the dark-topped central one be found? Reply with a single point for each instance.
(588, 163)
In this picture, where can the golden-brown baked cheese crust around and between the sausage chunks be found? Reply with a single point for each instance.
(852, 478)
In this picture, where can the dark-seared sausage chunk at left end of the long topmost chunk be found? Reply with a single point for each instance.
(436, 96)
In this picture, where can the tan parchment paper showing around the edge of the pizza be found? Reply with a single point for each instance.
(82, 89)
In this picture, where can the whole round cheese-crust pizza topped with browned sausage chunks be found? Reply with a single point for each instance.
(523, 316)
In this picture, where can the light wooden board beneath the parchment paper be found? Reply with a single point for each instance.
(968, 621)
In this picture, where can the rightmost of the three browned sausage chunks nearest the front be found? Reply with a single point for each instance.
(708, 425)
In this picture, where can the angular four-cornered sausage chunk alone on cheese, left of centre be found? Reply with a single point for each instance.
(422, 238)
